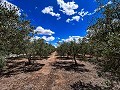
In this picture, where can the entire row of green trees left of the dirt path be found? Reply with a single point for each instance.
(15, 36)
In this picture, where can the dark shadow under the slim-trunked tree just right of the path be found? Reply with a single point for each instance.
(70, 66)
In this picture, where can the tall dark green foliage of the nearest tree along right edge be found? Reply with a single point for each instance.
(104, 38)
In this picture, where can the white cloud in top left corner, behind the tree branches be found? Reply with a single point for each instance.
(10, 6)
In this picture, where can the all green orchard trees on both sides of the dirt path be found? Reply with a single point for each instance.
(101, 42)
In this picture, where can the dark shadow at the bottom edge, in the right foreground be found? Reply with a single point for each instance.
(86, 86)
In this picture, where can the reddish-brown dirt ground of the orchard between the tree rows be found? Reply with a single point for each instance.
(55, 74)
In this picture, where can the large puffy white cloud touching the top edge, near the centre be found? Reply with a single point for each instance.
(68, 8)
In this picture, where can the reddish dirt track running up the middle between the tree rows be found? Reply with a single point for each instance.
(48, 72)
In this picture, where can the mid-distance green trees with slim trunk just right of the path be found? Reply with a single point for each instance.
(73, 49)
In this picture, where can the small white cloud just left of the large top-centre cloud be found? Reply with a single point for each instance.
(49, 10)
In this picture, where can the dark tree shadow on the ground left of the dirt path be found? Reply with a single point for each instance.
(14, 68)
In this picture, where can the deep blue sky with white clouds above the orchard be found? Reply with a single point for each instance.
(58, 20)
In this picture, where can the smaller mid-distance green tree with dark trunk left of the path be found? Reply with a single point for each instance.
(38, 48)
